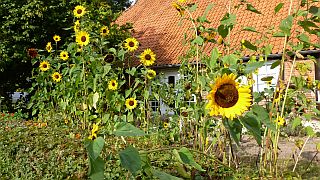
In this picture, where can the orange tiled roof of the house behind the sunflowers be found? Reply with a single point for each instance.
(156, 25)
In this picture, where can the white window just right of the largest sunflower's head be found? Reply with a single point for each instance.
(265, 71)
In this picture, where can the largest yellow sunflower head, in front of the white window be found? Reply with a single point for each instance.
(227, 98)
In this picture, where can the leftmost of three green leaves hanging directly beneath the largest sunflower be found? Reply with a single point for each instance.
(234, 127)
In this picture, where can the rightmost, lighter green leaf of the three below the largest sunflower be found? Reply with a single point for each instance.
(263, 116)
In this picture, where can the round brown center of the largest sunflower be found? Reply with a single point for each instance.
(226, 95)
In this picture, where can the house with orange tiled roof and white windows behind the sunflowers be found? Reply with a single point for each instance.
(156, 26)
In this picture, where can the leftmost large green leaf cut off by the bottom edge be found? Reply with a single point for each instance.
(96, 169)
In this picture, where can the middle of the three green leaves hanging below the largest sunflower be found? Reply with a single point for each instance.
(253, 125)
